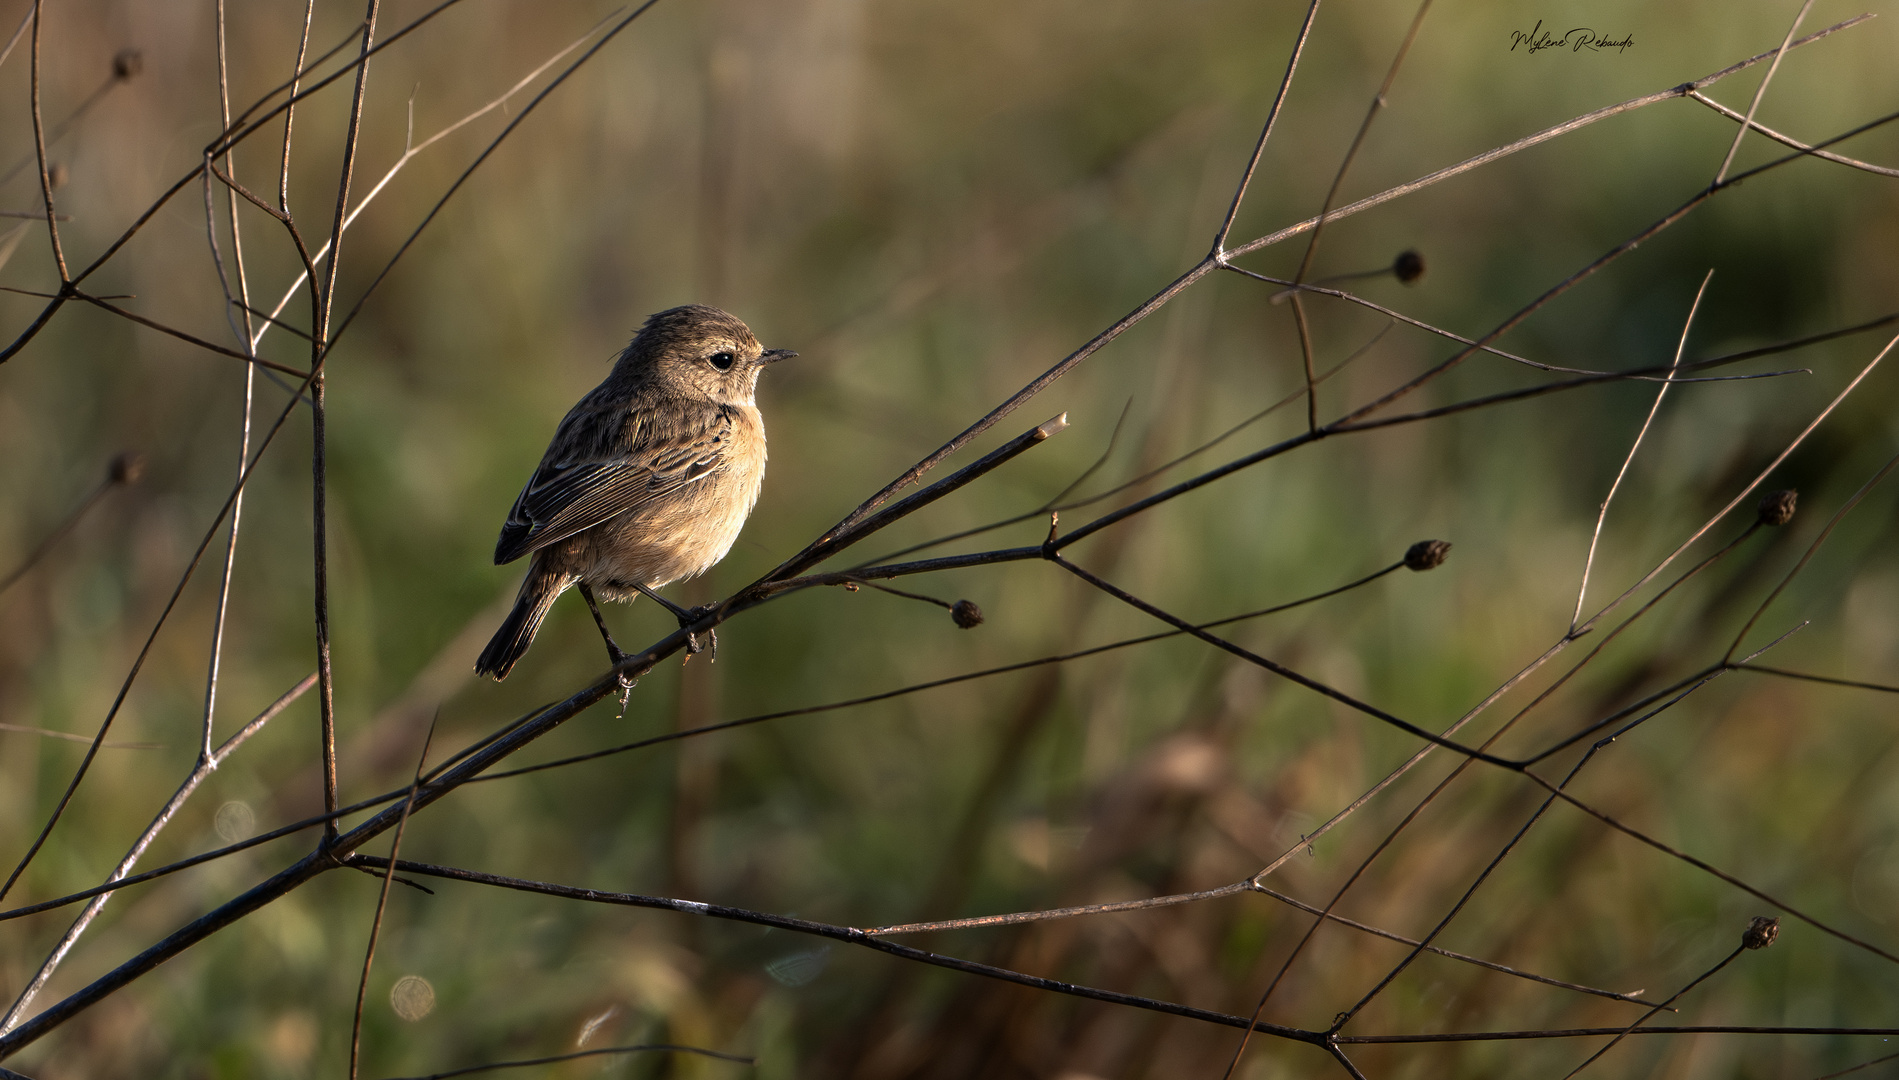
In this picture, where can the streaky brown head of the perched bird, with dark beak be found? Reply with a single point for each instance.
(700, 352)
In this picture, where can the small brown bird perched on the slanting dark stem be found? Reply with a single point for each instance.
(649, 479)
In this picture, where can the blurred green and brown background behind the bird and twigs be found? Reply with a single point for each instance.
(933, 204)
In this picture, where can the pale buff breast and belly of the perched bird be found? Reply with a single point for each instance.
(677, 538)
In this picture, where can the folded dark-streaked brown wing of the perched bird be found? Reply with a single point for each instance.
(573, 496)
